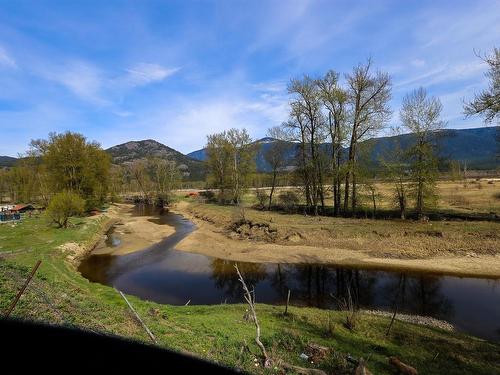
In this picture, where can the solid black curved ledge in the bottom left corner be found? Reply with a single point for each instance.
(30, 346)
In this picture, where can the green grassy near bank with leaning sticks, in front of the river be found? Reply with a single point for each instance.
(60, 295)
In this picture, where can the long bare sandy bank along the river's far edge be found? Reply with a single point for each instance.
(213, 240)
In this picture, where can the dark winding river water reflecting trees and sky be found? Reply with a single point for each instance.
(164, 275)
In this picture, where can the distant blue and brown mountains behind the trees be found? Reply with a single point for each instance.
(477, 147)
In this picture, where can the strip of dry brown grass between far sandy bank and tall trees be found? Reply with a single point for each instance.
(382, 238)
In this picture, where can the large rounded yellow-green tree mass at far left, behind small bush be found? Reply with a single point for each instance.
(63, 162)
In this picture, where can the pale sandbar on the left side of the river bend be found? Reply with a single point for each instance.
(135, 232)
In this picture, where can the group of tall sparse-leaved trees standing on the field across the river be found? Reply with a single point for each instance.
(342, 113)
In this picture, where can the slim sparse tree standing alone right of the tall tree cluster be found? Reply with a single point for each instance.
(420, 115)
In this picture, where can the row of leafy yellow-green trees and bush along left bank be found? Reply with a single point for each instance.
(68, 171)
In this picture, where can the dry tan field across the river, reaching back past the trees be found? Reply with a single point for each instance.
(453, 235)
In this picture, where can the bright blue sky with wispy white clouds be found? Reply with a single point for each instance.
(176, 71)
